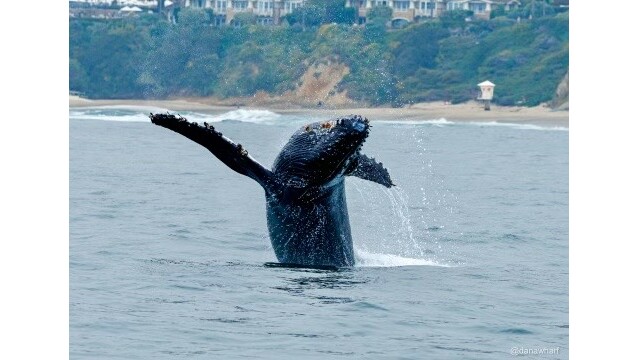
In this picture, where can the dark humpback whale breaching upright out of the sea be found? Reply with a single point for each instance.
(305, 190)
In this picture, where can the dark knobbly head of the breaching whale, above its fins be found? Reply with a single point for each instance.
(322, 151)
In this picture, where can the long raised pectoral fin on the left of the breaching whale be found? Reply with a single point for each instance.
(231, 154)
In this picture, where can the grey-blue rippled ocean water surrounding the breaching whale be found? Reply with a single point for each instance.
(467, 258)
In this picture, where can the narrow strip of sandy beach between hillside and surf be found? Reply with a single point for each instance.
(465, 112)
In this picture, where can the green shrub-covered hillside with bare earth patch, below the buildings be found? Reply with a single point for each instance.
(148, 57)
